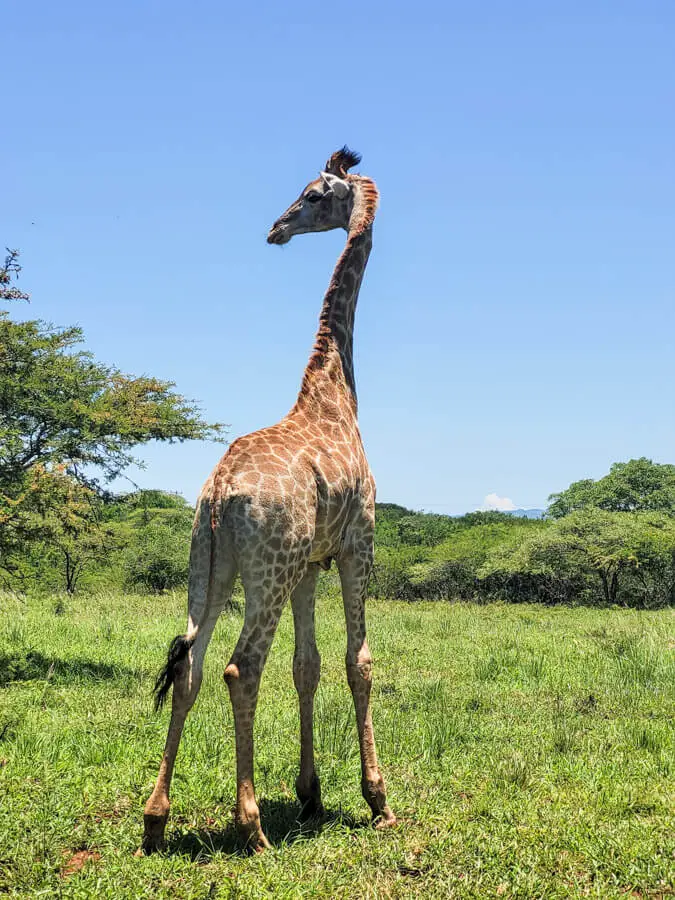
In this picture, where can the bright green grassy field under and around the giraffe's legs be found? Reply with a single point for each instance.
(528, 752)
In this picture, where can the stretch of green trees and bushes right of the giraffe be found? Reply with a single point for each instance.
(610, 541)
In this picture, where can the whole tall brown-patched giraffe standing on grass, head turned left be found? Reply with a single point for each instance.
(281, 503)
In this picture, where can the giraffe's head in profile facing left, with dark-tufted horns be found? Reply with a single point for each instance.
(326, 203)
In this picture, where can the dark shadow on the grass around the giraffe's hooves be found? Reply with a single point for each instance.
(280, 823)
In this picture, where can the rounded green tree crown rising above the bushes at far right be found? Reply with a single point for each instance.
(638, 484)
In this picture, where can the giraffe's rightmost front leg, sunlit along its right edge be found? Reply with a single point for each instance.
(354, 572)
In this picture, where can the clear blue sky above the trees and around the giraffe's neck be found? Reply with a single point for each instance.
(516, 323)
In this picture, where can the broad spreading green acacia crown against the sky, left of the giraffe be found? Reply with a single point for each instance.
(59, 405)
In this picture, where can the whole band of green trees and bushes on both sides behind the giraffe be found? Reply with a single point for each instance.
(70, 425)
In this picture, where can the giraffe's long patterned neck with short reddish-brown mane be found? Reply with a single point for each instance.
(332, 360)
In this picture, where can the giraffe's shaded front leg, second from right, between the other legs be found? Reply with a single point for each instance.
(306, 673)
